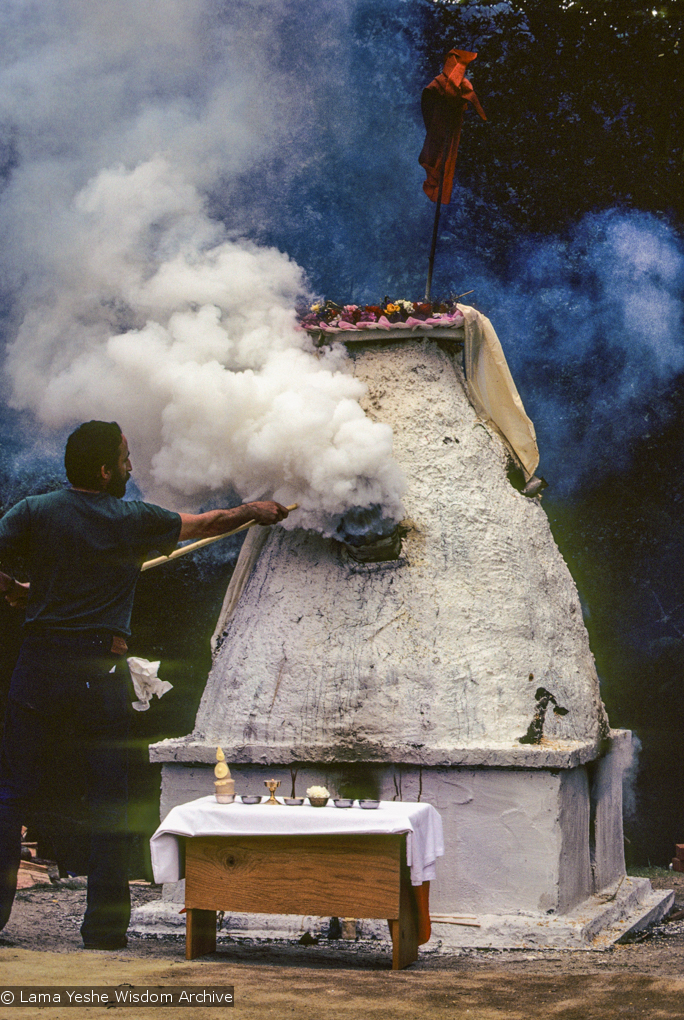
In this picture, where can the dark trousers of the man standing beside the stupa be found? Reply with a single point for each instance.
(67, 705)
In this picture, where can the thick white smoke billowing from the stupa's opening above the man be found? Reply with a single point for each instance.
(134, 303)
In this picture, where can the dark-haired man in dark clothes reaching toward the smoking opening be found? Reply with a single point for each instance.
(84, 548)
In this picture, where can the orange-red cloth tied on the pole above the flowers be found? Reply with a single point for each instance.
(444, 104)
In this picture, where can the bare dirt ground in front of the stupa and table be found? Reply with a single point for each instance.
(41, 945)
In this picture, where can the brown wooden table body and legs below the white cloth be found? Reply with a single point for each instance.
(341, 876)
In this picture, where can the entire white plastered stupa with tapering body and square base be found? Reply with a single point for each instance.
(458, 673)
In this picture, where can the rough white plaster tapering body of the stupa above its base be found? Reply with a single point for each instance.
(327, 659)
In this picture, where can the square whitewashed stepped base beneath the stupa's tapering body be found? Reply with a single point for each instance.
(533, 837)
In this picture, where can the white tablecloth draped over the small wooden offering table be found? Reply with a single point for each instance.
(207, 818)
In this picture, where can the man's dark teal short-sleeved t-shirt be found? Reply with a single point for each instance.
(84, 552)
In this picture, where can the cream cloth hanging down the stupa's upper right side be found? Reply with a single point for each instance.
(493, 392)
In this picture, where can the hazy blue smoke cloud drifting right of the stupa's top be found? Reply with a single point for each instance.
(593, 327)
